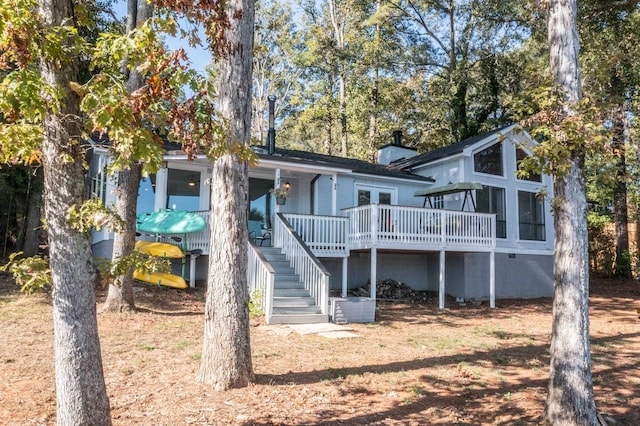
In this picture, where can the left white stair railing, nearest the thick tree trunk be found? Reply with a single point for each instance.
(260, 278)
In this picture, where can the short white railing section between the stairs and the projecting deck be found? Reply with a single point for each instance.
(326, 236)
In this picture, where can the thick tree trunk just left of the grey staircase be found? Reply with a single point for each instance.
(226, 353)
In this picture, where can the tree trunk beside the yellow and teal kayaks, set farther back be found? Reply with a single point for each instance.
(120, 295)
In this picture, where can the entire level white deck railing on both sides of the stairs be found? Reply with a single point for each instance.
(382, 225)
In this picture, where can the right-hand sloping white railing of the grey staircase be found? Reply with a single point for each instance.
(313, 274)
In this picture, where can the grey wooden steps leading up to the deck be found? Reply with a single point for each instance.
(292, 303)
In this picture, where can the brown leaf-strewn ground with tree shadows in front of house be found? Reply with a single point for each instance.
(416, 365)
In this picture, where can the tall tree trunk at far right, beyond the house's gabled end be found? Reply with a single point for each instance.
(570, 397)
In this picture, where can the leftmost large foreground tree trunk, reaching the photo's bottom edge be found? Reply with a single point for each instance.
(80, 388)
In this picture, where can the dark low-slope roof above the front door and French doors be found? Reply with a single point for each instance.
(352, 164)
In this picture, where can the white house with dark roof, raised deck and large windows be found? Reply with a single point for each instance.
(457, 219)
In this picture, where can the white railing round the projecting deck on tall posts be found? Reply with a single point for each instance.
(402, 227)
